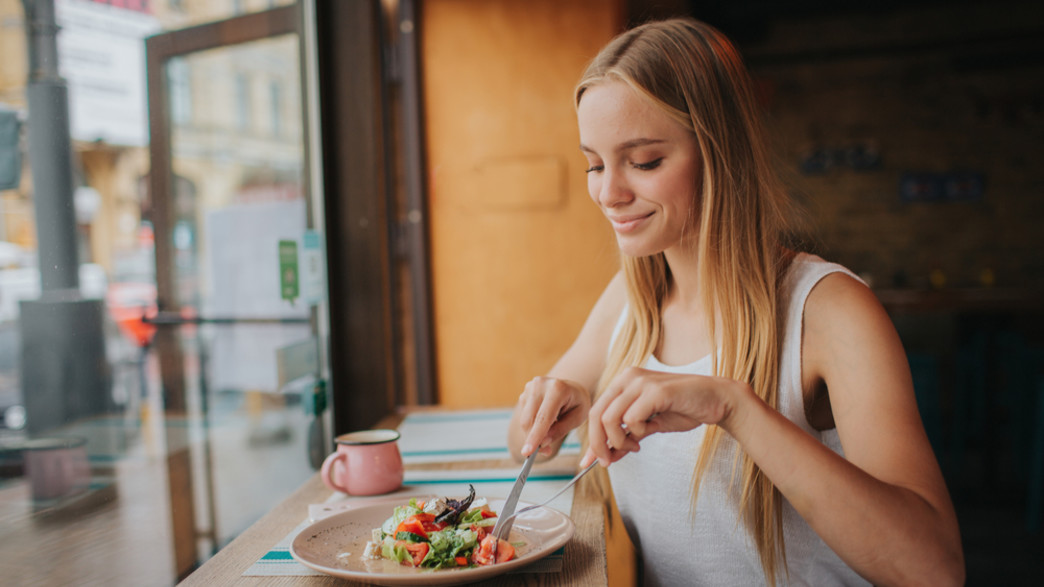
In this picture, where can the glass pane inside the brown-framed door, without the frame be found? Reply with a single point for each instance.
(238, 159)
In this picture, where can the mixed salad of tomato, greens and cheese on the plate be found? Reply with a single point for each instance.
(440, 533)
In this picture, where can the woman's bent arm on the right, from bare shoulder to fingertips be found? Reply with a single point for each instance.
(884, 508)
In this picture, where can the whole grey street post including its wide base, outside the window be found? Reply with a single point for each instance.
(65, 371)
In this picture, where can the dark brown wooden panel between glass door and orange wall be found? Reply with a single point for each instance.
(354, 167)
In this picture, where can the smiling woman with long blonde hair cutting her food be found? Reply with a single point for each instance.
(796, 454)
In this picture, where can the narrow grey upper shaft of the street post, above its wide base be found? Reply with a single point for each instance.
(51, 154)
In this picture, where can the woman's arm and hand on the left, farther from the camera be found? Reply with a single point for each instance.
(553, 406)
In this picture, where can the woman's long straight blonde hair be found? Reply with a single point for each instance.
(694, 74)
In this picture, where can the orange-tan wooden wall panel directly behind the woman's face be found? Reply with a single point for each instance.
(519, 252)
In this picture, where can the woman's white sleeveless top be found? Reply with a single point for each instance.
(711, 545)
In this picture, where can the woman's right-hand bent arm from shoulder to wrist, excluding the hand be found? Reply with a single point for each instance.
(885, 508)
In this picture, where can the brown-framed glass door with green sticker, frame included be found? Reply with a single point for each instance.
(239, 274)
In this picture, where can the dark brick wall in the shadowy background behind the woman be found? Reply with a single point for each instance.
(951, 100)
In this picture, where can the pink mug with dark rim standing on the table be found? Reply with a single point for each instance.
(367, 463)
